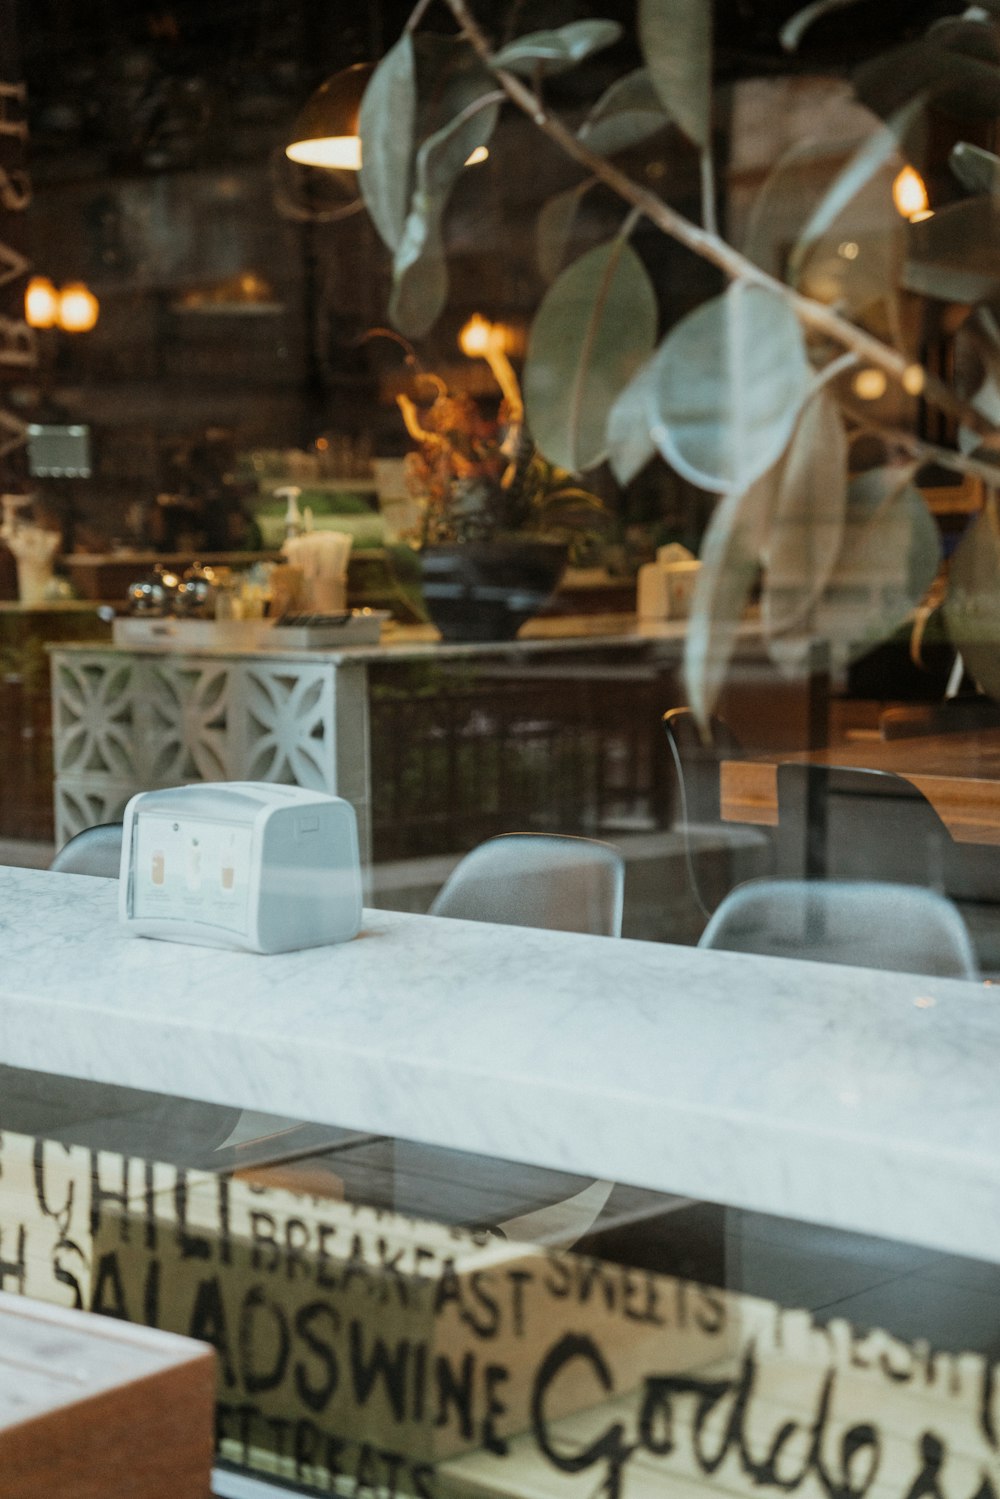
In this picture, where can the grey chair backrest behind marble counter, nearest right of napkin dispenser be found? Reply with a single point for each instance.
(573, 885)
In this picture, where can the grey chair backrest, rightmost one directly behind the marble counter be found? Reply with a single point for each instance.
(872, 926)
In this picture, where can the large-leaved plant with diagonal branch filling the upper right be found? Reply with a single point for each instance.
(758, 393)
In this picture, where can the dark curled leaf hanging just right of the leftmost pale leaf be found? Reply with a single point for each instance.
(421, 281)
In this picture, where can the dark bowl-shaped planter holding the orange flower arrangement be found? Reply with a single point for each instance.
(488, 590)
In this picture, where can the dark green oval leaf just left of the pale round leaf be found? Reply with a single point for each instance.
(594, 329)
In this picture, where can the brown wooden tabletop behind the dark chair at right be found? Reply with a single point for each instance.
(959, 774)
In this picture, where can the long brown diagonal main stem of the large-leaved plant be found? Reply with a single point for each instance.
(707, 244)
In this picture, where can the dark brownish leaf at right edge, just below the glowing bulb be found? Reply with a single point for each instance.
(956, 254)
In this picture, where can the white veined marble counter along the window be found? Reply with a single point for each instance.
(843, 1097)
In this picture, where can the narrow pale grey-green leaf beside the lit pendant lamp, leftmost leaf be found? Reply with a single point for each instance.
(388, 140)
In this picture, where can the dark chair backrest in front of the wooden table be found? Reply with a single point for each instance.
(845, 824)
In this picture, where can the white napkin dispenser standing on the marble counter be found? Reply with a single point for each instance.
(241, 864)
